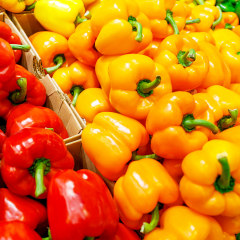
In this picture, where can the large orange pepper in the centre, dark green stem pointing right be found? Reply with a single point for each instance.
(136, 85)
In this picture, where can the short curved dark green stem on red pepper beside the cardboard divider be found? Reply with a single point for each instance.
(19, 96)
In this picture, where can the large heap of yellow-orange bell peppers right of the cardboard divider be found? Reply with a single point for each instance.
(159, 86)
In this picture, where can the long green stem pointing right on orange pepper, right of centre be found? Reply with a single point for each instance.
(189, 123)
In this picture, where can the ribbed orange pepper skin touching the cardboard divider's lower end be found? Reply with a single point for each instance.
(110, 140)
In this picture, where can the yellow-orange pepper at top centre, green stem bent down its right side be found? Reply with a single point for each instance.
(123, 29)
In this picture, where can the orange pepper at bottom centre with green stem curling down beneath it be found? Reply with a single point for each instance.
(138, 192)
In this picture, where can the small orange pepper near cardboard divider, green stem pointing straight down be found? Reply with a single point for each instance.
(75, 79)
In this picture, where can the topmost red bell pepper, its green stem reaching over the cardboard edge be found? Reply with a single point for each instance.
(12, 38)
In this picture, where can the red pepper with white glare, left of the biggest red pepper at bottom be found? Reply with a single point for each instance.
(23, 209)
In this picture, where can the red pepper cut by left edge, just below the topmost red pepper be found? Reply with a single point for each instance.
(7, 63)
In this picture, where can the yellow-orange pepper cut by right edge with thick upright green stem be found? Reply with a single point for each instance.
(210, 182)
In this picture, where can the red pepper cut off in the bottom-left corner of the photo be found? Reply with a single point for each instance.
(17, 231)
